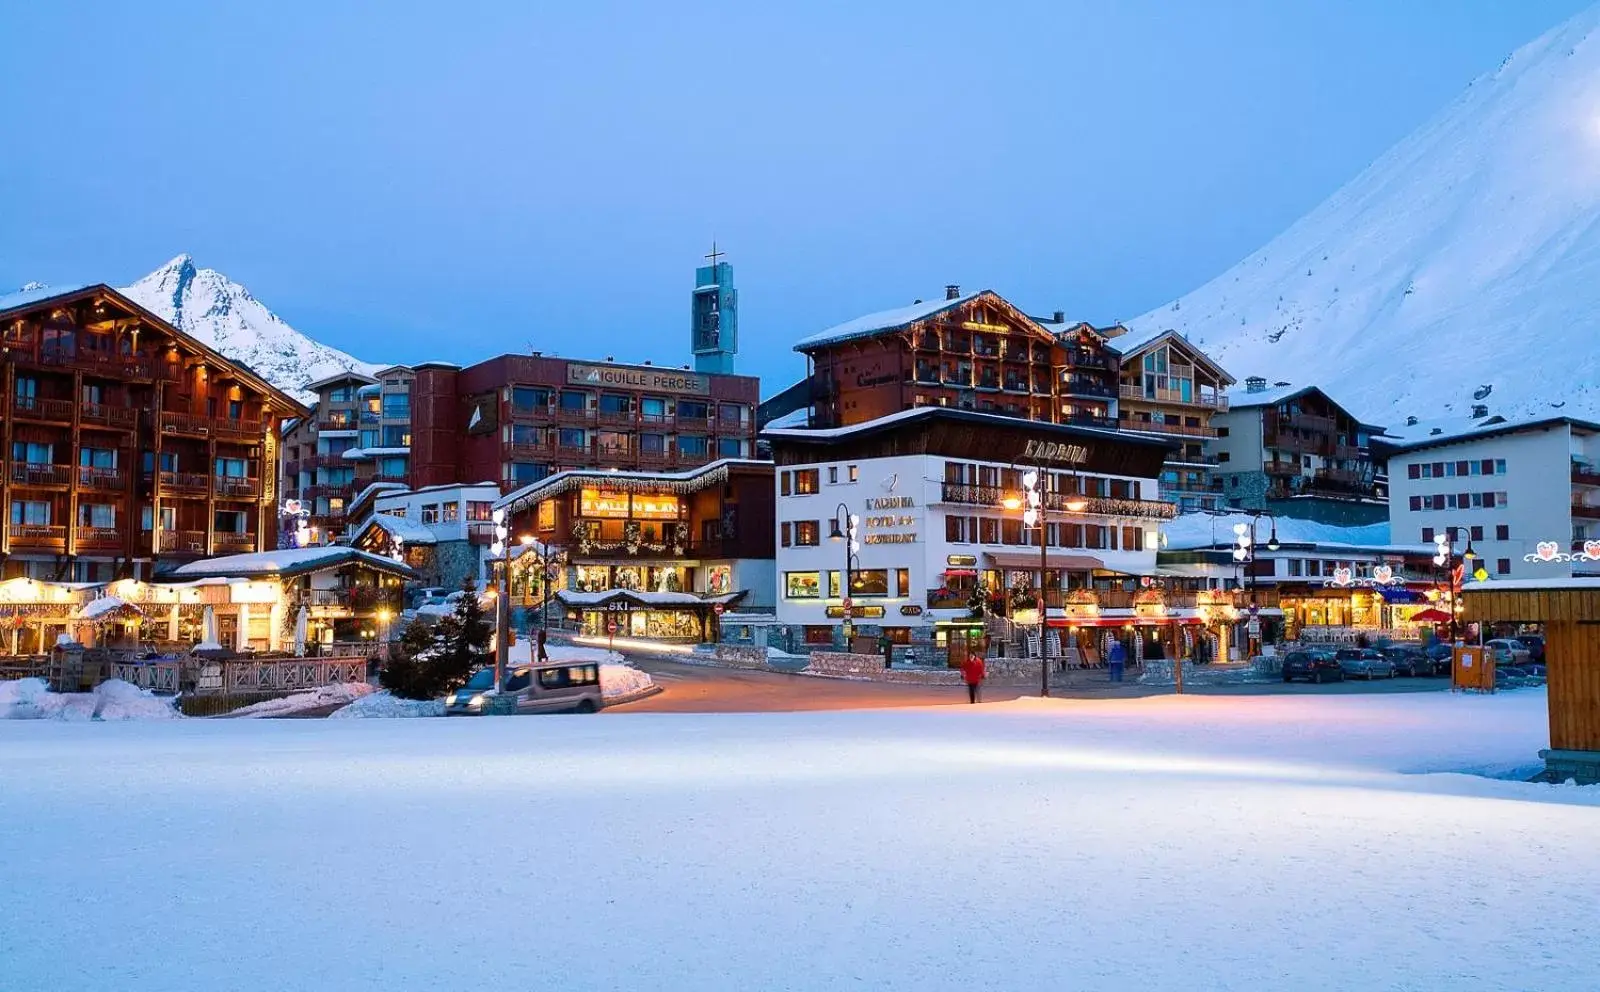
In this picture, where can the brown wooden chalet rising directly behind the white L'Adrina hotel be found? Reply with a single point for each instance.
(964, 353)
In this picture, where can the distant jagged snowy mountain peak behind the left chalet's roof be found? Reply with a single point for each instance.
(225, 316)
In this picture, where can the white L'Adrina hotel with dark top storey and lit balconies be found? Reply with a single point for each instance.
(927, 492)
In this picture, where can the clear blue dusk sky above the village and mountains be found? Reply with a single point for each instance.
(450, 182)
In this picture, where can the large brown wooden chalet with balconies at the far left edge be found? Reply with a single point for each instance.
(127, 442)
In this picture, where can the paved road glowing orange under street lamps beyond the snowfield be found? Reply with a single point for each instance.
(700, 689)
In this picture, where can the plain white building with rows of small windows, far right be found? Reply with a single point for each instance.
(1526, 492)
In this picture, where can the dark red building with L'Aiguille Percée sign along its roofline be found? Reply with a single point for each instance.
(516, 420)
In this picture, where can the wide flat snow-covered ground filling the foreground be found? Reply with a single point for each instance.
(1265, 842)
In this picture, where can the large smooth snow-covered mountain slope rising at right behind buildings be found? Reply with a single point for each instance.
(1468, 257)
